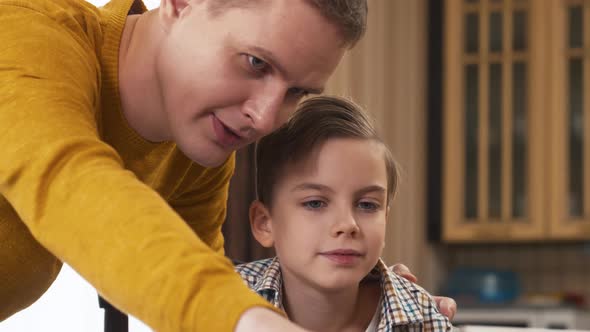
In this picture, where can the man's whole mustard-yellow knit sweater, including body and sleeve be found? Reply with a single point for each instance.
(75, 179)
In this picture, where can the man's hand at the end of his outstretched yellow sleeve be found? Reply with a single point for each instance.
(265, 320)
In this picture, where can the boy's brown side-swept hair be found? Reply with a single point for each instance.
(316, 120)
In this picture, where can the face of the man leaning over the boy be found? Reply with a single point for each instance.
(229, 79)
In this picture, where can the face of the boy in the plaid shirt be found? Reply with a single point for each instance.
(328, 215)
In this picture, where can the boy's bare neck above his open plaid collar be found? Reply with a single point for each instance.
(344, 310)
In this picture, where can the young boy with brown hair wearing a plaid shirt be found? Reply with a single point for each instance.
(324, 184)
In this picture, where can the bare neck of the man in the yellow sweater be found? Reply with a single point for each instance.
(138, 83)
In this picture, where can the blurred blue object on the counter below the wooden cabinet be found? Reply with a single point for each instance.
(482, 286)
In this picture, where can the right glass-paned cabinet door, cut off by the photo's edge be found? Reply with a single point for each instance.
(570, 208)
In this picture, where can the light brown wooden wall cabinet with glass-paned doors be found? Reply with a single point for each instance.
(516, 125)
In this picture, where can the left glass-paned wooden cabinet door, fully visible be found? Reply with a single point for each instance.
(493, 127)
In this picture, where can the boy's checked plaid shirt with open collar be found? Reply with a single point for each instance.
(406, 307)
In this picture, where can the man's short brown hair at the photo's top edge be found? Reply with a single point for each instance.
(350, 16)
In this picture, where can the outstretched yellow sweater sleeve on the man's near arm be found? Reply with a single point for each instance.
(73, 193)
